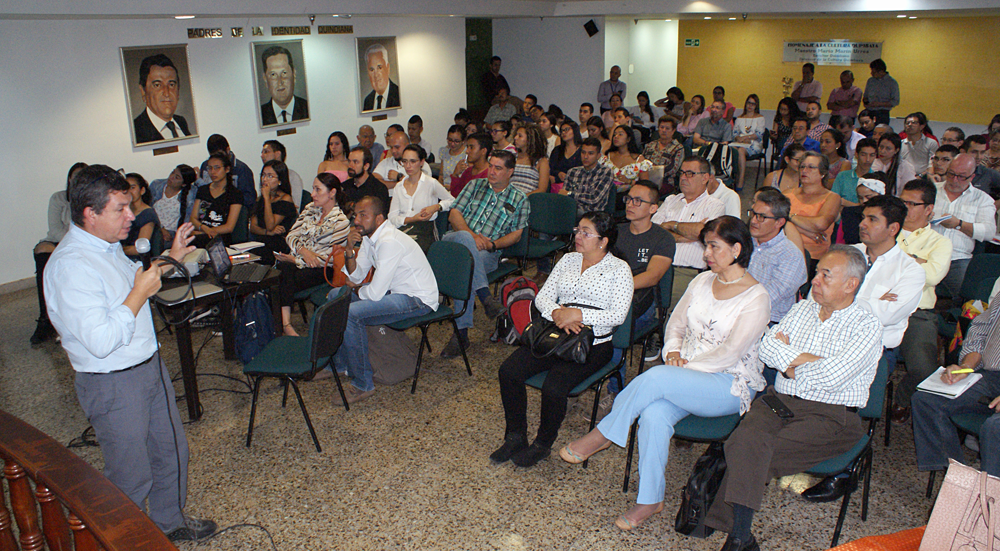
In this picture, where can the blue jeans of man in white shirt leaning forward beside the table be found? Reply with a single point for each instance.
(352, 356)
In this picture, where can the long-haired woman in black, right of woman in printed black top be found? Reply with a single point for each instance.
(274, 214)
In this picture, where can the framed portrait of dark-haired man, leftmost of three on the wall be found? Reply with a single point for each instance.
(158, 93)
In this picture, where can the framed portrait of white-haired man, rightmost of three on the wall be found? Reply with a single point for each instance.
(378, 74)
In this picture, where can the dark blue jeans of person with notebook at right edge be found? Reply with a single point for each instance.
(936, 437)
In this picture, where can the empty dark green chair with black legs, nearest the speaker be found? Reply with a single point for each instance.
(293, 359)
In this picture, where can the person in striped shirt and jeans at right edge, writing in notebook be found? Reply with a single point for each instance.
(934, 433)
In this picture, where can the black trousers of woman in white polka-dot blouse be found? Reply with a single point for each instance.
(563, 376)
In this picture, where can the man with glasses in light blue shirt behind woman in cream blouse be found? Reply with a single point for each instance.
(776, 262)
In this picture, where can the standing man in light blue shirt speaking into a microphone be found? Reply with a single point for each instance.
(98, 301)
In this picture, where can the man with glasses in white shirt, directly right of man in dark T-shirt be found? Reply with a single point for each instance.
(684, 215)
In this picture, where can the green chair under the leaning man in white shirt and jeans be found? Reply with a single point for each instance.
(452, 265)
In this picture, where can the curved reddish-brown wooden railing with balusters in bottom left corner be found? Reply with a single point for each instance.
(99, 516)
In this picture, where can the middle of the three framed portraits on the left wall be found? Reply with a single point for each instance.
(280, 82)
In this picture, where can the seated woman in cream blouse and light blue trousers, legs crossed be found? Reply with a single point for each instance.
(711, 367)
